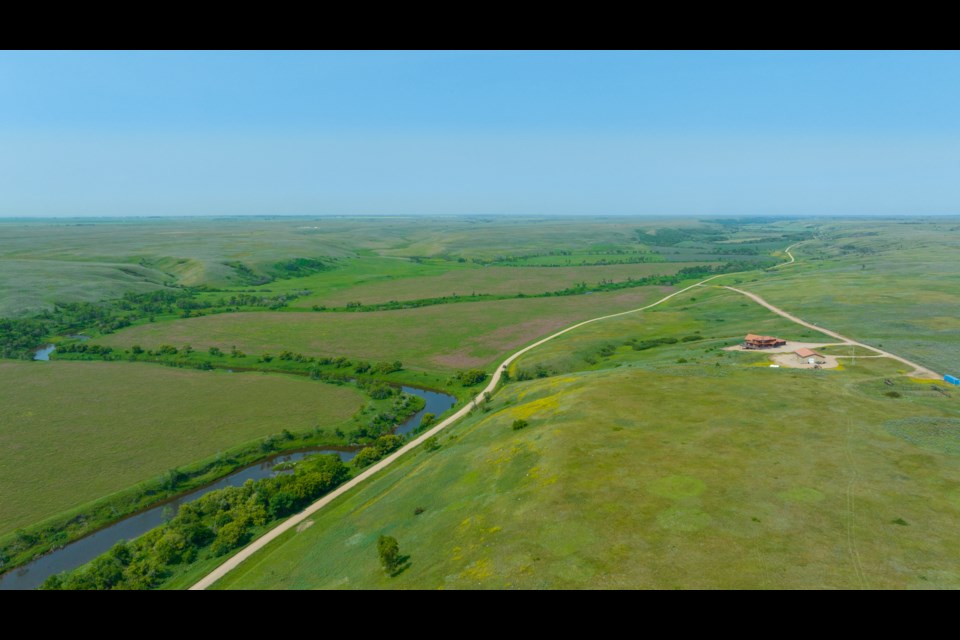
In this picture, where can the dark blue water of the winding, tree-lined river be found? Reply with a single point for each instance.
(82, 551)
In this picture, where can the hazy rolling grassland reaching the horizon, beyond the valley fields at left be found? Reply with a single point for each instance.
(68, 260)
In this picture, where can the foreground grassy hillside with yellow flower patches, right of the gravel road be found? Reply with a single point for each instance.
(680, 477)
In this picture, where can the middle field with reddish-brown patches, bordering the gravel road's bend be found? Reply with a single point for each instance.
(441, 338)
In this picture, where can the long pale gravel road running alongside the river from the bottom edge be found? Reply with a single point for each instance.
(293, 521)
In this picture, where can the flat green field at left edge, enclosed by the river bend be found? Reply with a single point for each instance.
(71, 432)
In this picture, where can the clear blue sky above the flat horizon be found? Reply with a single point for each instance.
(510, 133)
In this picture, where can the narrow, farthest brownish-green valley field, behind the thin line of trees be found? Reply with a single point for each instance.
(483, 280)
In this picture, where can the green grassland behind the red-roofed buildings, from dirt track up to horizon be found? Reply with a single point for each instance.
(889, 283)
